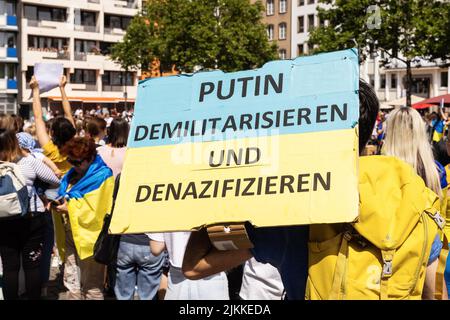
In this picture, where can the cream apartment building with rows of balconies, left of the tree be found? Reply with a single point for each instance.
(78, 34)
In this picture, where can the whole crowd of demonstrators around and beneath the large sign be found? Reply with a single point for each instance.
(71, 166)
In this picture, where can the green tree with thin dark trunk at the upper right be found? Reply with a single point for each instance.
(407, 30)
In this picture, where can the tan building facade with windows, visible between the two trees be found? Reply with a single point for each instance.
(277, 17)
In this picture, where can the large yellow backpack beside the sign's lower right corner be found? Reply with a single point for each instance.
(385, 253)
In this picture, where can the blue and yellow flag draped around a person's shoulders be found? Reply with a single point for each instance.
(88, 201)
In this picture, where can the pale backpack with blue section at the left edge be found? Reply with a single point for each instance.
(14, 201)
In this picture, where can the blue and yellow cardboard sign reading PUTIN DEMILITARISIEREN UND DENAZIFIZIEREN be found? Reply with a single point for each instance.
(274, 146)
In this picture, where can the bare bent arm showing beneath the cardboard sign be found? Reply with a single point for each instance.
(202, 259)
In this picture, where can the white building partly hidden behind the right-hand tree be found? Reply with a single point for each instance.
(429, 79)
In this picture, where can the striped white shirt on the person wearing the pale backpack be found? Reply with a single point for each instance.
(33, 169)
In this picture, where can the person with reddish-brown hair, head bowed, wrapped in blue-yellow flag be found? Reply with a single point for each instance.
(86, 192)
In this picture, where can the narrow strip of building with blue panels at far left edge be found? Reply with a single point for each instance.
(9, 62)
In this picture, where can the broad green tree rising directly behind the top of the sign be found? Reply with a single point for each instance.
(211, 34)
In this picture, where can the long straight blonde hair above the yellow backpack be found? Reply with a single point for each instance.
(406, 139)
